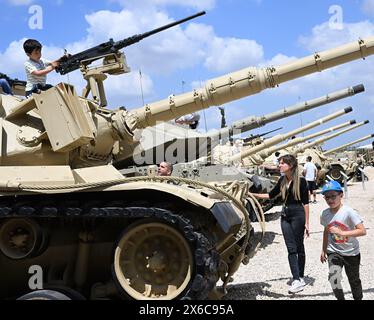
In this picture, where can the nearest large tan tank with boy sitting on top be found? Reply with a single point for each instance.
(71, 218)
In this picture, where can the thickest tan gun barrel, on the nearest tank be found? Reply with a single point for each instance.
(246, 82)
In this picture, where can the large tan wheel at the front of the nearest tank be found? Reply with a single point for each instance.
(153, 261)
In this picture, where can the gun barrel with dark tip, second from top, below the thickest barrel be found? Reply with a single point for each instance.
(254, 122)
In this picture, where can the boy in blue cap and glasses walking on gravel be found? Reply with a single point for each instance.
(340, 246)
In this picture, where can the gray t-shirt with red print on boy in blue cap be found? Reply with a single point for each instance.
(345, 219)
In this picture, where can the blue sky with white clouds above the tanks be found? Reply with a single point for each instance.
(232, 35)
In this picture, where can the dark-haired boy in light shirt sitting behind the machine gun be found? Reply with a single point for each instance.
(37, 68)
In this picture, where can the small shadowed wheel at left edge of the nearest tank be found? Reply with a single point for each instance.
(21, 238)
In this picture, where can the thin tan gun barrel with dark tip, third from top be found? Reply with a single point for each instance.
(279, 138)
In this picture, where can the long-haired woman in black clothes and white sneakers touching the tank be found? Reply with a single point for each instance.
(293, 190)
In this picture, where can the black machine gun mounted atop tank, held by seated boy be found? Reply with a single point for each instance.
(69, 63)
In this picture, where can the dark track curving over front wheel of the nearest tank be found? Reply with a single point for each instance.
(206, 259)
